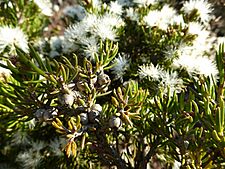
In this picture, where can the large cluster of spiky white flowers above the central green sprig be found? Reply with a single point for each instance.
(104, 27)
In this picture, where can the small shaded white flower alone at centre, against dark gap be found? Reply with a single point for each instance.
(122, 65)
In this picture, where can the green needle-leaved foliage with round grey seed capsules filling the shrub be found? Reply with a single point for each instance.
(70, 112)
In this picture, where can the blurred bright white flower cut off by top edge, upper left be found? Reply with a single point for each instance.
(45, 6)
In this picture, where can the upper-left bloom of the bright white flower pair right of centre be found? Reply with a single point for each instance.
(150, 71)
